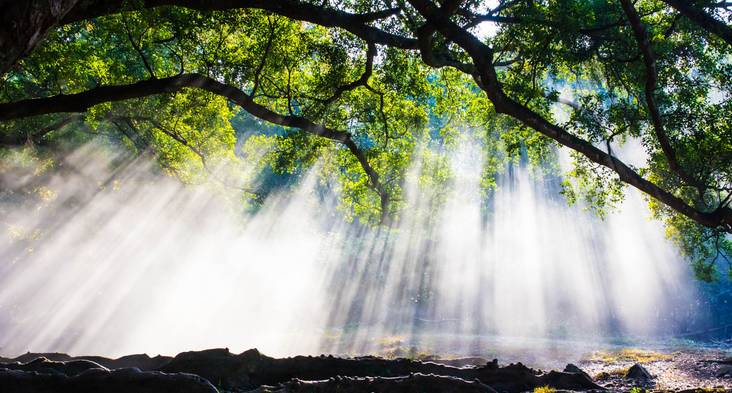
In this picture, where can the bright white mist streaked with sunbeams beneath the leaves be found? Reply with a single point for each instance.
(121, 259)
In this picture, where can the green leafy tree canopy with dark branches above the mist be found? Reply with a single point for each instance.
(360, 85)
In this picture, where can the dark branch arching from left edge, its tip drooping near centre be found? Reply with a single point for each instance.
(80, 102)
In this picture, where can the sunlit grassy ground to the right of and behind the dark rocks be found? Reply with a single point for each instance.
(674, 365)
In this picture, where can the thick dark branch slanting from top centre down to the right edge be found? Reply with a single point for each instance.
(487, 79)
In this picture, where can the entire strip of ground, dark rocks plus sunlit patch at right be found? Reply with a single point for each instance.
(220, 370)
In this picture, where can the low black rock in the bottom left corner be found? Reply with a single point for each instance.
(102, 380)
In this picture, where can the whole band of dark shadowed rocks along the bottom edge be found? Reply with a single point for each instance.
(250, 370)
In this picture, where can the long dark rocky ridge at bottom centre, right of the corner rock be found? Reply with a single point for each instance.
(252, 369)
